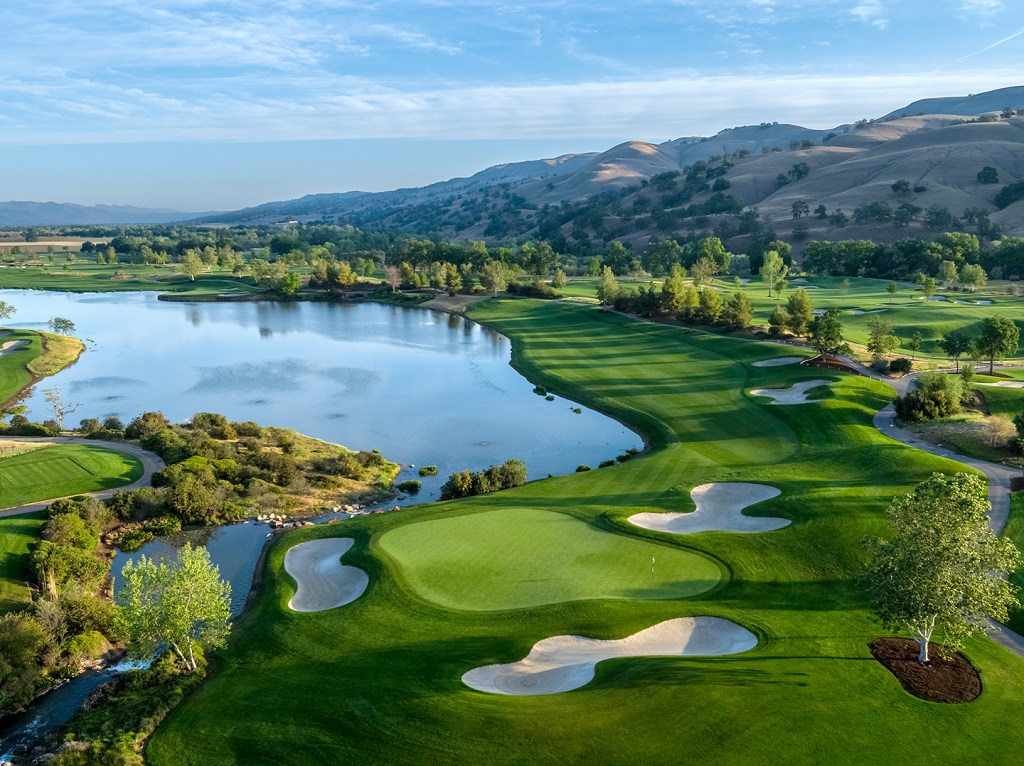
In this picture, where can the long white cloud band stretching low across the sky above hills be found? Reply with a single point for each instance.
(675, 104)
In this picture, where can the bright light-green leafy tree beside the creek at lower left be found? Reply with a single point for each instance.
(180, 605)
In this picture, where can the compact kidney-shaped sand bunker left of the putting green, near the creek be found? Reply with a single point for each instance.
(324, 582)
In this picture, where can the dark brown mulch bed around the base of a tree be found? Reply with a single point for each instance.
(949, 678)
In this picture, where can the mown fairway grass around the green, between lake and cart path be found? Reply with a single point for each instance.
(378, 682)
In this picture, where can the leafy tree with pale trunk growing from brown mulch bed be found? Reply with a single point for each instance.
(944, 569)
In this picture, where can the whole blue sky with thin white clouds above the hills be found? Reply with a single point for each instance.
(202, 106)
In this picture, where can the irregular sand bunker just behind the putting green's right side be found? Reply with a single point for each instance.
(719, 509)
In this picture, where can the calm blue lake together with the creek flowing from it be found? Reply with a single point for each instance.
(423, 388)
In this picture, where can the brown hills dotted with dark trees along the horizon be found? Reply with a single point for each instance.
(637, 191)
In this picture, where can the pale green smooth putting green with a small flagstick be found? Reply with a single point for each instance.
(520, 558)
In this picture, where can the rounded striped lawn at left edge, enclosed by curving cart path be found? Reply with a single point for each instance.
(63, 471)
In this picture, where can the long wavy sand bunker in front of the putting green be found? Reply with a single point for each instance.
(566, 663)
